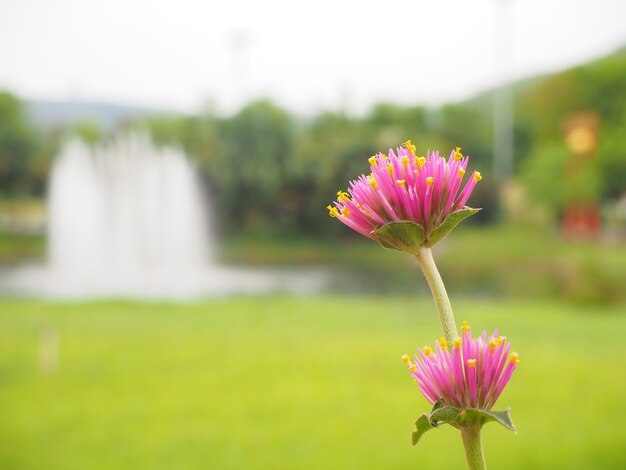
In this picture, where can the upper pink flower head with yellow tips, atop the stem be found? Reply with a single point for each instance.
(424, 192)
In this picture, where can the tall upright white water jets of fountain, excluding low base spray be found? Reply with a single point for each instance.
(125, 210)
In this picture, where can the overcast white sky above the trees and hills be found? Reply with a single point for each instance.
(306, 55)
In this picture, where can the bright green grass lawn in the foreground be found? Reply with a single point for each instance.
(302, 383)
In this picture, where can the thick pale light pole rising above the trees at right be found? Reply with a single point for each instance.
(503, 97)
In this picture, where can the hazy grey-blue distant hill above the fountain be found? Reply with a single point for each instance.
(50, 114)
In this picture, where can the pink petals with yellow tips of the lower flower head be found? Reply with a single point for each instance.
(472, 374)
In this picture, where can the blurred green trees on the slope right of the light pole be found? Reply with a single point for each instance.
(544, 109)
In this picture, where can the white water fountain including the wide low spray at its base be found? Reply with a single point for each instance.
(130, 220)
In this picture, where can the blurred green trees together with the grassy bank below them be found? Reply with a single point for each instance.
(271, 174)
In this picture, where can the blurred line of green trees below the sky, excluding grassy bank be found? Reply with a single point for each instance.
(270, 172)
